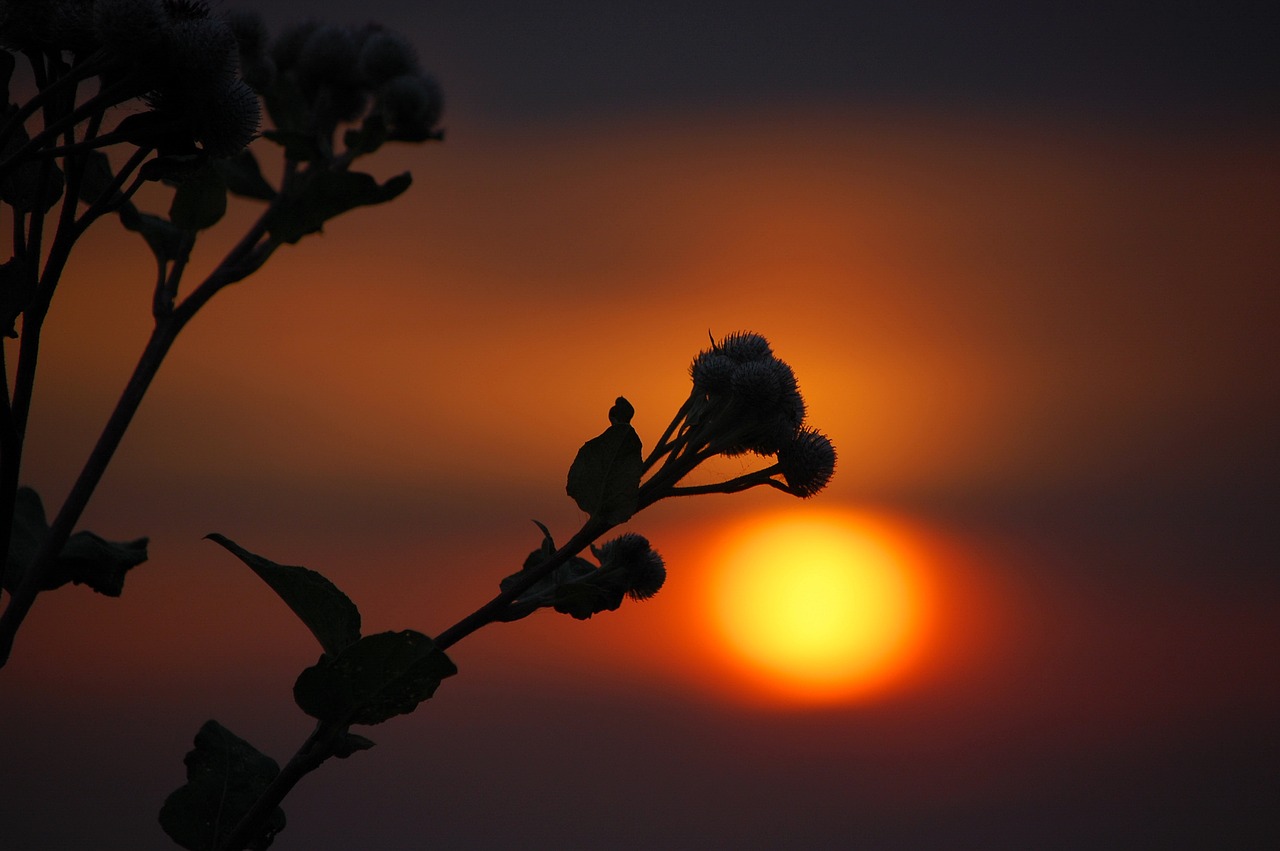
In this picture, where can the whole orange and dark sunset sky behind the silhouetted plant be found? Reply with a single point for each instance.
(1025, 262)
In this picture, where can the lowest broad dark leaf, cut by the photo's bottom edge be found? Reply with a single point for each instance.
(226, 776)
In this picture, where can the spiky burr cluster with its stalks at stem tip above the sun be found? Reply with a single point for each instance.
(744, 400)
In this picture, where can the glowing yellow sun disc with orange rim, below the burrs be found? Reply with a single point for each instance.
(817, 607)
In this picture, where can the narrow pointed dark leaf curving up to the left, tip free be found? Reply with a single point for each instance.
(330, 614)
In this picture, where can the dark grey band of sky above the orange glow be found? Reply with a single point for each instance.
(1124, 60)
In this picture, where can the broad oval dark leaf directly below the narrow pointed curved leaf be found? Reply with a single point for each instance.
(380, 678)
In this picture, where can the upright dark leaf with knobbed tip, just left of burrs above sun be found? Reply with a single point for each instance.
(605, 479)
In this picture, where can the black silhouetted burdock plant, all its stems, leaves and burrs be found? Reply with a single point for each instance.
(198, 84)
